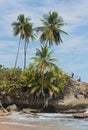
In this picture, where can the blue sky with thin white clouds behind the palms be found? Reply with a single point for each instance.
(72, 53)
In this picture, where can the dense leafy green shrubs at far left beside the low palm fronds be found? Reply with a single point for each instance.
(10, 80)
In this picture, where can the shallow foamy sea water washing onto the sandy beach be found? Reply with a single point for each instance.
(48, 119)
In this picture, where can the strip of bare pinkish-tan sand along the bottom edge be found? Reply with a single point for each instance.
(6, 126)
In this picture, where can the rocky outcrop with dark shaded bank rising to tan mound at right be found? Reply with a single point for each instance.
(73, 99)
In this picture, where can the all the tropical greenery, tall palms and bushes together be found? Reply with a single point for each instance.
(42, 80)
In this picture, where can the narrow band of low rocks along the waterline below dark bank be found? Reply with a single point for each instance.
(82, 113)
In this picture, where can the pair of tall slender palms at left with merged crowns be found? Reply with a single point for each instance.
(24, 28)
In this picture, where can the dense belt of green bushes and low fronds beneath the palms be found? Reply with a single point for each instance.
(13, 81)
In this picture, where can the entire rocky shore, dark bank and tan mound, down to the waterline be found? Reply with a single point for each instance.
(73, 101)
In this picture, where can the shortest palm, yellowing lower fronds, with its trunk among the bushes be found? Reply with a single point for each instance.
(44, 62)
